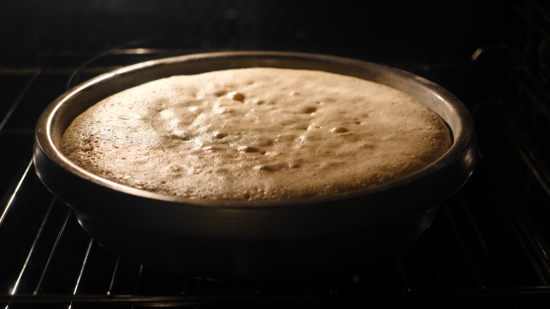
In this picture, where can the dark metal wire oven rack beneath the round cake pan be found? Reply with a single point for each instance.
(487, 245)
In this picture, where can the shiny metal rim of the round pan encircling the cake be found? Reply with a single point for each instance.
(46, 144)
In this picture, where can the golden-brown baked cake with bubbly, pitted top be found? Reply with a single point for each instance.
(256, 134)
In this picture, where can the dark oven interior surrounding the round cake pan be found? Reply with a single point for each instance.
(487, 246)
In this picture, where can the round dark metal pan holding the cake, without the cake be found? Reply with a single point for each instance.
(231, 239)
